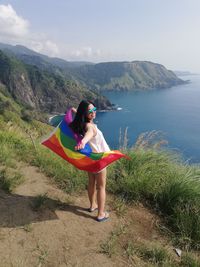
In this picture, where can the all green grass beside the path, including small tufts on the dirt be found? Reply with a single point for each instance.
(153, 176)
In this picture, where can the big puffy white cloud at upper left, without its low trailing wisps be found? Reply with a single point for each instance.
(16, 30)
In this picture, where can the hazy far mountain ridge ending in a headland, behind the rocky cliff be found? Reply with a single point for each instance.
(102, 76)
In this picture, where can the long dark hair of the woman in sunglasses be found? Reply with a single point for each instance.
(78, 125)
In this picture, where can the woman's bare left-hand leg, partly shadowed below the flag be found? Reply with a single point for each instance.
(92, 190)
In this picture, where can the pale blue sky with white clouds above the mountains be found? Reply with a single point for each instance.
(161, 31)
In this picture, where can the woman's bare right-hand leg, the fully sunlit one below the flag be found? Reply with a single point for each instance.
(101, 192)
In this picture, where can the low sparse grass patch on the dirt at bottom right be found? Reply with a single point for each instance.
(137, 252)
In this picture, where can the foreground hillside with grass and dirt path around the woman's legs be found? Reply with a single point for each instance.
(153, 202)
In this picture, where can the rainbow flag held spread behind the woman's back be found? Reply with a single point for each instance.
(63, 140)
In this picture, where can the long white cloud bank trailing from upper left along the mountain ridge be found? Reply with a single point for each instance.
(15, 29)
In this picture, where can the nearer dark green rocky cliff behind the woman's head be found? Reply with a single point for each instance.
(41, 89)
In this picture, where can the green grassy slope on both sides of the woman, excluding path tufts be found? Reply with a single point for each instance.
(154, 177)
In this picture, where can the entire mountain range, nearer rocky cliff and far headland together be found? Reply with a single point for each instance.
(53, 84)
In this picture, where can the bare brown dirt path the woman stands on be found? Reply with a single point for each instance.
(40, 225)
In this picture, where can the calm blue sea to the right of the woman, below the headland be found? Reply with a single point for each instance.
(174, 111)
